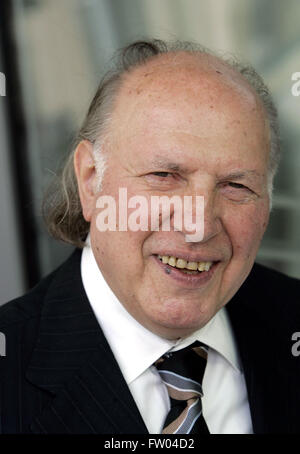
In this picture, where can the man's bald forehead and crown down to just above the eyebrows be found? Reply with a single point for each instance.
(181, 97)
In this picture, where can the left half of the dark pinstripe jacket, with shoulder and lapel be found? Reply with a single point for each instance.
(59, 375)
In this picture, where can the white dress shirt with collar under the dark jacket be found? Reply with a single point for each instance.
(225, 403)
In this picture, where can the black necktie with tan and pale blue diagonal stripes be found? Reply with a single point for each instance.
(182, 372)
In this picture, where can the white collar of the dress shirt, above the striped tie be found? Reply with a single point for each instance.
(135, 347)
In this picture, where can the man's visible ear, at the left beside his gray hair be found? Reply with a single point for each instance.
(85, 171)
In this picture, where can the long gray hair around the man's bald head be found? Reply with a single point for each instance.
(61, 207)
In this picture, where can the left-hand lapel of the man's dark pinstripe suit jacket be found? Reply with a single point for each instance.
(73, 363)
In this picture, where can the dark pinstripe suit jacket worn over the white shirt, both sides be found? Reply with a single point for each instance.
(59, 374)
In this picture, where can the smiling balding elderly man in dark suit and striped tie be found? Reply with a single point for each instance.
(146, 330)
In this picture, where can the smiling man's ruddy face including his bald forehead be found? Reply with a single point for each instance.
(185, 126)
